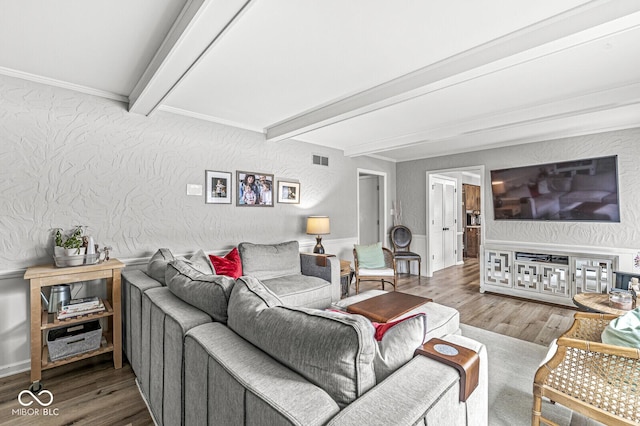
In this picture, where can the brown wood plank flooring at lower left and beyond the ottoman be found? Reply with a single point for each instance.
(92, 392)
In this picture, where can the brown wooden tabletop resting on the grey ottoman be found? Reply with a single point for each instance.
(388, 306)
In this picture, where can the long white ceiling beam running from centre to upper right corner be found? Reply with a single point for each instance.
(460, 66)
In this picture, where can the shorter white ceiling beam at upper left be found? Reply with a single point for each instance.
(200, 24)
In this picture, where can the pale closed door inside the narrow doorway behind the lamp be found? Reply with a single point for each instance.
(369, 211)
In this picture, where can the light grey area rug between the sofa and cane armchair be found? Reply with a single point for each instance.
(512, 365)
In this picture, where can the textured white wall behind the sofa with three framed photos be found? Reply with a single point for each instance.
(68, 158)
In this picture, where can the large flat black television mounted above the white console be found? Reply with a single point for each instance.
(580, 190)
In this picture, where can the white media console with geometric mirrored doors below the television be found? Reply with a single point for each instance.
(546, 275)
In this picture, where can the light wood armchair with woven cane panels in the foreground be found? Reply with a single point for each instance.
(597, 380)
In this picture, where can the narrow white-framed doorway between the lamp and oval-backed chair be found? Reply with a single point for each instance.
(372, 201)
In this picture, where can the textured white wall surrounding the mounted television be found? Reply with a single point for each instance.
(623, 235)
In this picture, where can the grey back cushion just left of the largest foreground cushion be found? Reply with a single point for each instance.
(207, 292)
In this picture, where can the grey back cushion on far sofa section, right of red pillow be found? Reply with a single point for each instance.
(266, 261)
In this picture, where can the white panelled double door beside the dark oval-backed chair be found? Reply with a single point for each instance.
(442, 235)
